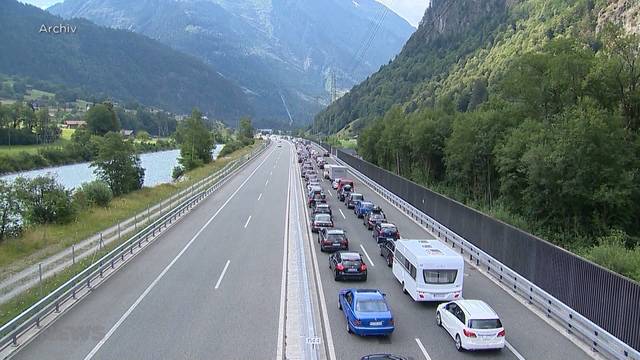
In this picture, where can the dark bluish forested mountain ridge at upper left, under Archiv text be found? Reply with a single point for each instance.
(115, 63)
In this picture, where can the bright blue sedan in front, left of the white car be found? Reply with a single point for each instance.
(366, 311)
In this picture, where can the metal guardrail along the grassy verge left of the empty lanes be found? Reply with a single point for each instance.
(52, 303)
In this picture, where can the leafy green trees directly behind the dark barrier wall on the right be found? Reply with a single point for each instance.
(552, 147)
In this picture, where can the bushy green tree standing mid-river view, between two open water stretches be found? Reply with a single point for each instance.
(117, 164)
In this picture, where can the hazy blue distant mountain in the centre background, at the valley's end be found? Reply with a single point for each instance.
(279, 51)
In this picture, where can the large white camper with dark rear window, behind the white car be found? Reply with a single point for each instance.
(428, 270)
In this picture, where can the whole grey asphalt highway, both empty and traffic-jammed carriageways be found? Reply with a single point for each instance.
(211, 287)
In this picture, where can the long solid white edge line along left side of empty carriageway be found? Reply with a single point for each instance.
(124, 317)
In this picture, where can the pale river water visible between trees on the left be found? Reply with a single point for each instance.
(158, 169)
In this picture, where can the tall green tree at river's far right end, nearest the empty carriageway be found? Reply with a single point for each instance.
(195, 140)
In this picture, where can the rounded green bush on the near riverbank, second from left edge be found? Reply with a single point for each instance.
(44, 201)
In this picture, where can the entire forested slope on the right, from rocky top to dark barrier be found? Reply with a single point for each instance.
(528, 110)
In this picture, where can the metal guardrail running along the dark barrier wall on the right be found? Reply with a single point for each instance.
(597, 338)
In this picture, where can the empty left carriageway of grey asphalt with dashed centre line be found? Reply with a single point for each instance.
(208, 289)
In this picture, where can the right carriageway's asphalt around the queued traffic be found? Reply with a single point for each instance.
(529, 336)
